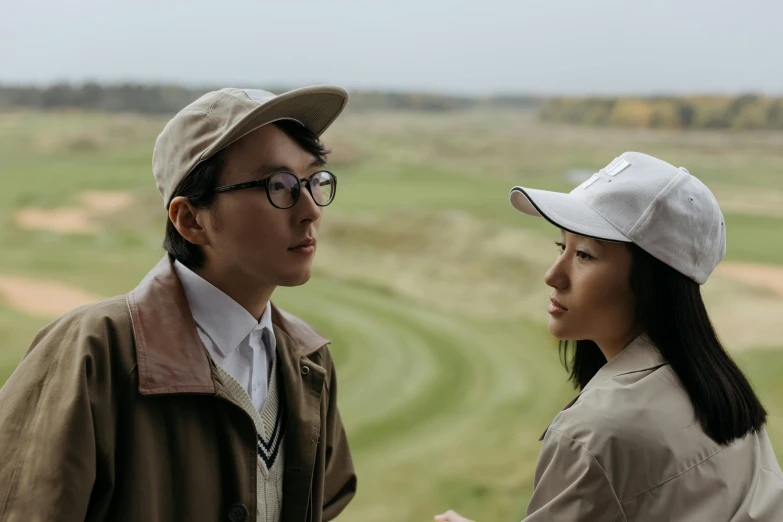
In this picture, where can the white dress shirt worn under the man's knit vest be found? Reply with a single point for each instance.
(238, 343)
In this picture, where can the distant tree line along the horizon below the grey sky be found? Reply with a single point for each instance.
(672, 112)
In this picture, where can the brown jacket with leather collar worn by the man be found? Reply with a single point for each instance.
(116, 412)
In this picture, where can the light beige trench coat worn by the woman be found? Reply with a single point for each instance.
(628, 448)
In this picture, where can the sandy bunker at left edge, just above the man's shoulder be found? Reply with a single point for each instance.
(43, 298)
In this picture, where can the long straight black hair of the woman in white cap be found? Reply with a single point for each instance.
(671, 312)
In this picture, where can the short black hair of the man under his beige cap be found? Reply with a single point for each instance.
(198, 187)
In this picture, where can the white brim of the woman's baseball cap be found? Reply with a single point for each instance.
(565, 211)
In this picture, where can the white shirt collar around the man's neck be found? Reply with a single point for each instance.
(221, 318)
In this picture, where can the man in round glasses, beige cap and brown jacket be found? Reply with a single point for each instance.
(193, 397)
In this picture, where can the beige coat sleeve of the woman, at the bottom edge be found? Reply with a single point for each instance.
(571, 485)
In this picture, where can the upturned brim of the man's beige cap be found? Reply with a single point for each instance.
(314, 107)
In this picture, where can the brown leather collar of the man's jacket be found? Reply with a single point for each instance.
(170, 355)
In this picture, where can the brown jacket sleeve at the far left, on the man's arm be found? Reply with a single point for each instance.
(57, 418)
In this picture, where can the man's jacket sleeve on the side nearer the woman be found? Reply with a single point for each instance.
(340, 477)
